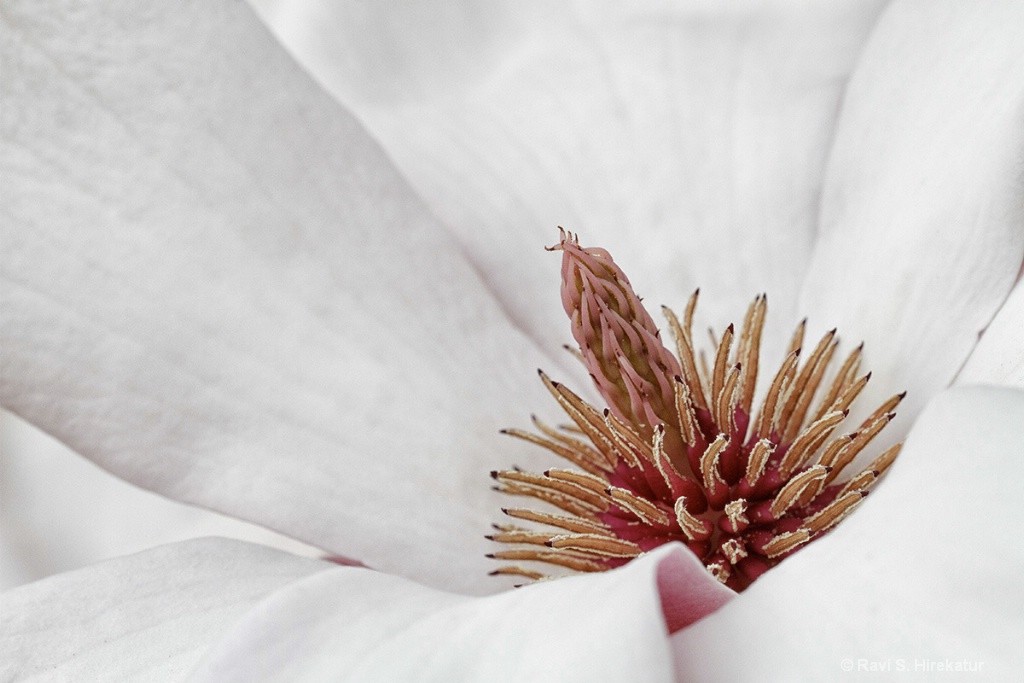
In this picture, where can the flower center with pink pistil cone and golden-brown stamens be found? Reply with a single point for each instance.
(680, 453)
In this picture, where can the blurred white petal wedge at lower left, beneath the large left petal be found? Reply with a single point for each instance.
(60, 513)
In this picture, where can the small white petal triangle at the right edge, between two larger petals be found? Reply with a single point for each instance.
(999, 358)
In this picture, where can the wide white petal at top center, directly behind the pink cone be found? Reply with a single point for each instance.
(689, 139)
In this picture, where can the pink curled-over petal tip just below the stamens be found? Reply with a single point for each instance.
(689, 592)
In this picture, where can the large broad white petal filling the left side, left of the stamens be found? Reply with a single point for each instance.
(218, 287)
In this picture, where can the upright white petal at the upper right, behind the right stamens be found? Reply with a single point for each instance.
(923, 218)
